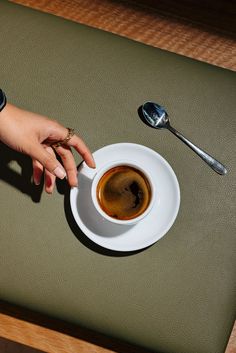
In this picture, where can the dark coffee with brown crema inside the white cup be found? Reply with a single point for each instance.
(123, 192)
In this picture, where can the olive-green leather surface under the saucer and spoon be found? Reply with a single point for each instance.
(177, 296)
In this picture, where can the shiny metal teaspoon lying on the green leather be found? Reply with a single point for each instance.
(155, 116)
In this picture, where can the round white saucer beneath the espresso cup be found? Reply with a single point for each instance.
(147, 231)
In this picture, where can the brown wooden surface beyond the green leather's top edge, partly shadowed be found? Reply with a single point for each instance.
(201, 30)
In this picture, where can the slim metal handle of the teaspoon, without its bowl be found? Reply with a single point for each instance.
(212, 162)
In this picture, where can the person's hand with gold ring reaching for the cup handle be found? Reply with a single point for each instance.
(34, 135)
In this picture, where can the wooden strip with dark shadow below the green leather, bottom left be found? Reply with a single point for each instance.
(55, 336)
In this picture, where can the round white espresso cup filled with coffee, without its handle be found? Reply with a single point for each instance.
(122, 192)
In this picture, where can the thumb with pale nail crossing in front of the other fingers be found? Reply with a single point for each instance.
(48, 160)
